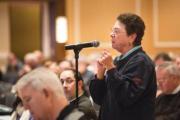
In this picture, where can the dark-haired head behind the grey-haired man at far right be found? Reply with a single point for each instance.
(161, 58)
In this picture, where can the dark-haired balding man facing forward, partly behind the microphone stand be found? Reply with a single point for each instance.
(68, 80)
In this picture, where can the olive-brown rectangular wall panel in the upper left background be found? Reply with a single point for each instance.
(25, 27)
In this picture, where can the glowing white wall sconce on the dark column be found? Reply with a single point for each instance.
(61, 29)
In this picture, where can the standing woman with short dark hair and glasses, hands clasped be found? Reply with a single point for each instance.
(126, 87)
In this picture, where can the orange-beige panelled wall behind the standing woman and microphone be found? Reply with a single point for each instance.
(93, 19)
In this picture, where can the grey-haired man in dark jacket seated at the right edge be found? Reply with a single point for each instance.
(168, 103)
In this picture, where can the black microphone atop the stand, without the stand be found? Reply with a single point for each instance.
(82, 45)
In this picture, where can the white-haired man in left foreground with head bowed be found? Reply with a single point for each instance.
(42, 94)
